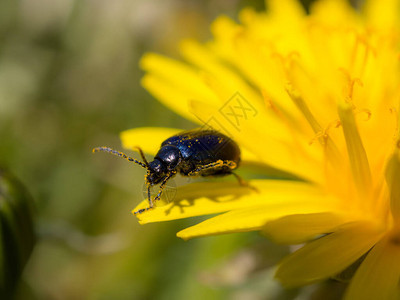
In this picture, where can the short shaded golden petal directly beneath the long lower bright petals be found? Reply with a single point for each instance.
(296, 229)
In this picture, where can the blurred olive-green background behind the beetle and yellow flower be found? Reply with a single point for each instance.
(70, 81)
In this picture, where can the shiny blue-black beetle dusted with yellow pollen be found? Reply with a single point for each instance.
(190, 153)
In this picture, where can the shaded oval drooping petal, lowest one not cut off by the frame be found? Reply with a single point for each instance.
(328, 255)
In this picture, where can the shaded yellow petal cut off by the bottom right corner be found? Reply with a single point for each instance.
(378, 276)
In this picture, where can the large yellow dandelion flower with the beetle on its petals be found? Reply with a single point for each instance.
(315, 96)
